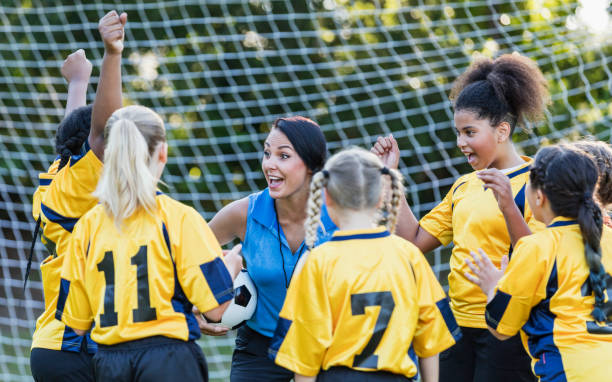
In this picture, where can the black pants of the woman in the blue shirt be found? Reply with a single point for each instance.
(250, 362)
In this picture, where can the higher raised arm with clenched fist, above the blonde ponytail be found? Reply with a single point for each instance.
(108, 97)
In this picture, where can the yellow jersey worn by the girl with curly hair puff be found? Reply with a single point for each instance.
(469, 216)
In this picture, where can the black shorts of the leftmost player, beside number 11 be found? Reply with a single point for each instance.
(61, 366)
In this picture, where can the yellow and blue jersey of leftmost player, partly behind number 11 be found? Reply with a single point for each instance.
(61, 199)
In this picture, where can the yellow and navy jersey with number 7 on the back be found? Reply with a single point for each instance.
(366, 300)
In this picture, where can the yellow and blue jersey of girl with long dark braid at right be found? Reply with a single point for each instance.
(545, 292)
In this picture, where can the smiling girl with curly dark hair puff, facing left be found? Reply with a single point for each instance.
(486, 208)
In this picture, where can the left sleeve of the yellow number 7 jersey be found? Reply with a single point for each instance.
(304, 329)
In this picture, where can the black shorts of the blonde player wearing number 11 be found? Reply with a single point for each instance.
(150, 360)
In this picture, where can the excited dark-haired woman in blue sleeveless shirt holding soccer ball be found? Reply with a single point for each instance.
(270, 225)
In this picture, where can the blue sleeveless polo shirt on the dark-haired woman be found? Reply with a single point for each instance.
(260, 250)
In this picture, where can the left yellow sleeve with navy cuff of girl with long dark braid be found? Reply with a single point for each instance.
(521, 288)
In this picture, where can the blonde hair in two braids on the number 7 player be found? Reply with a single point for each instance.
(354, 180)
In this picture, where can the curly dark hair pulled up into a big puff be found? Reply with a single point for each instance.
(509, 89)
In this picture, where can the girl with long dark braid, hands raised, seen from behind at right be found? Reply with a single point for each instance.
(556, 289)
